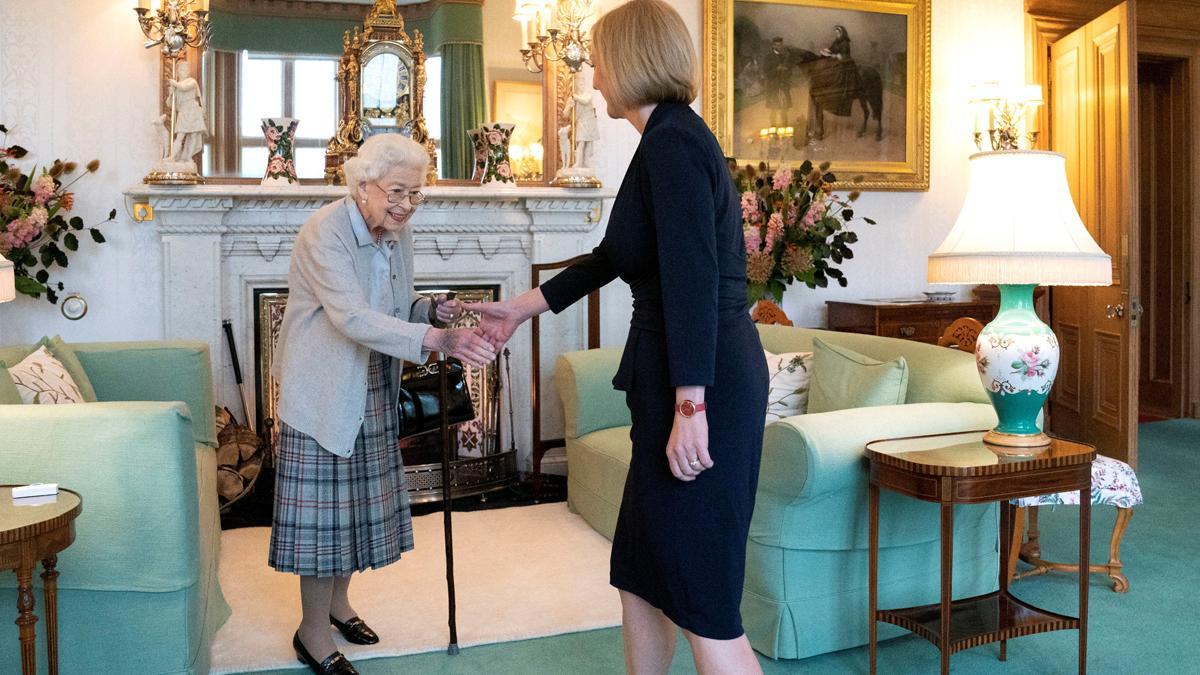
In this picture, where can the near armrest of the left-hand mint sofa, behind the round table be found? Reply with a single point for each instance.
(135, 467)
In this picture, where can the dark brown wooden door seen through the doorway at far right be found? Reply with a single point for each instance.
(1165, 144)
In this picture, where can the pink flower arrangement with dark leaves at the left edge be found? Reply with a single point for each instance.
(35, 232)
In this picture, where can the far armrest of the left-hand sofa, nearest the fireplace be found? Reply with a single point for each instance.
(155, 372)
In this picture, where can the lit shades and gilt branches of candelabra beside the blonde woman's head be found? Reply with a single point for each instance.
(555, 32)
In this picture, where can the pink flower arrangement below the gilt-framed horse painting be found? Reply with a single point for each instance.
(795, 228)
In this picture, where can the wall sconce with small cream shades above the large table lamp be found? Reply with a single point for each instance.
(1006, 118)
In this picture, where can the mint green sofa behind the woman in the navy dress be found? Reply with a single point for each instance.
(807, 563)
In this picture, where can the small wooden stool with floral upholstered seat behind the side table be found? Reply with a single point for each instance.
(1114, 483)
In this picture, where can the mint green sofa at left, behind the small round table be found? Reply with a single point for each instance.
(139, 590)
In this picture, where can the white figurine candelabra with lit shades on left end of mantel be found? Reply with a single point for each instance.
(175, 27)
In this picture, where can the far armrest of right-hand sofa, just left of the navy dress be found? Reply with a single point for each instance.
(585, 384)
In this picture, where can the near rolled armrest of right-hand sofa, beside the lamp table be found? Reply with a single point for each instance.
(808, 456)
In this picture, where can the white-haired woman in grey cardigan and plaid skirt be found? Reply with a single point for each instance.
(352, 320)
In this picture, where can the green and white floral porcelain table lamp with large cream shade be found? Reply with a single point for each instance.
(1019, 229)
